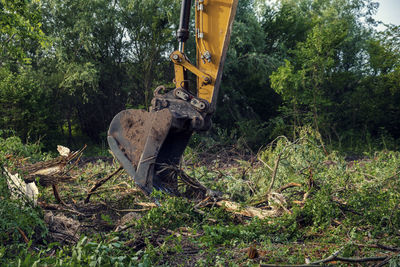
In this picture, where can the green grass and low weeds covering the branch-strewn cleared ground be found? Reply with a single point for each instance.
(337, 205)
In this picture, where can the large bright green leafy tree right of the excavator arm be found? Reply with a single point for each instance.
(323, 70)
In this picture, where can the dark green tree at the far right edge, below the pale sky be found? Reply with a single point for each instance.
(378, 92)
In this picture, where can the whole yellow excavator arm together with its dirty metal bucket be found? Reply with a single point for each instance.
(148, 143)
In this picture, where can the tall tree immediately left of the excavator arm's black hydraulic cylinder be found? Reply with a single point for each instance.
(150, 26)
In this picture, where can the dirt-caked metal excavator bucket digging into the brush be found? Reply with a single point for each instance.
(145, 143)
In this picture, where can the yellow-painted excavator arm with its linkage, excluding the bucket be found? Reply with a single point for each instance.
(213, 25)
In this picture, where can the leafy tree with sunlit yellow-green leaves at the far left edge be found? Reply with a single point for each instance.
(24, 105)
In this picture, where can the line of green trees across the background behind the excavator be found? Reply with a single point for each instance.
(67, 68)
